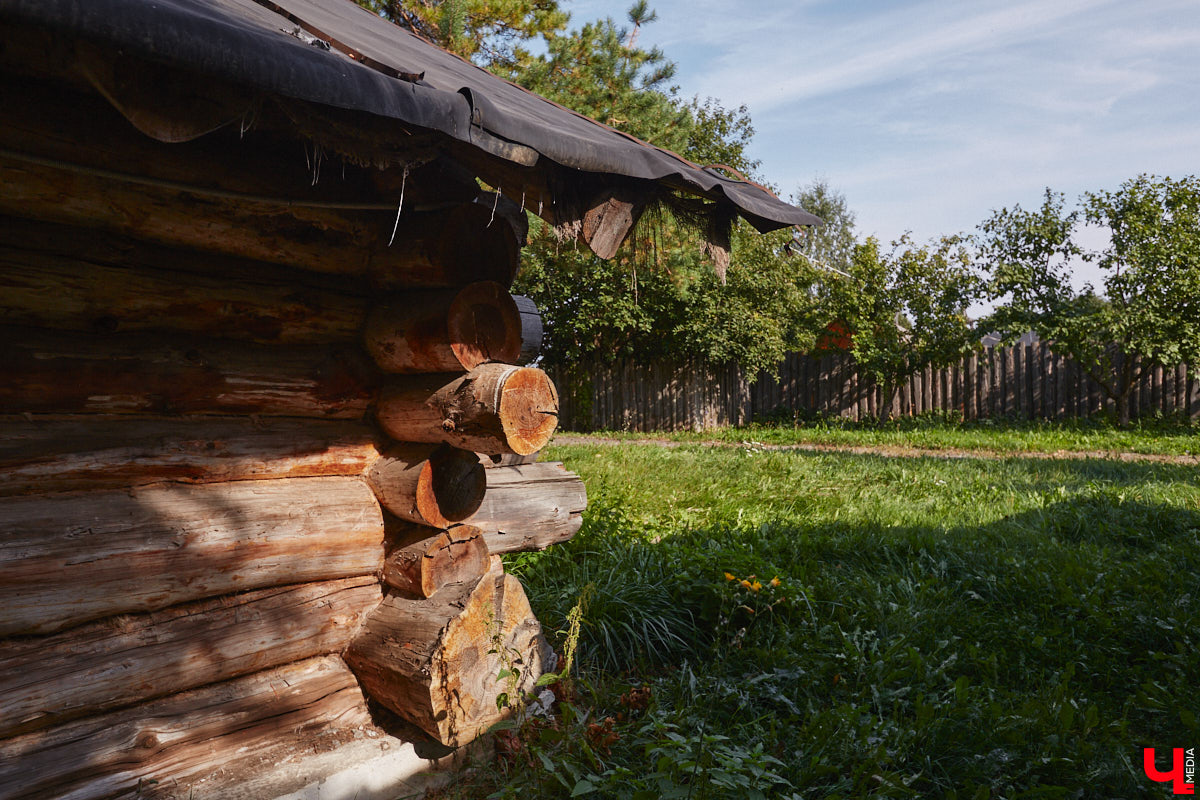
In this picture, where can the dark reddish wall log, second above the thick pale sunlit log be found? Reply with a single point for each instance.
(64, 372)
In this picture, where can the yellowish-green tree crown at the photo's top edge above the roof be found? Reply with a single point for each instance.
(491, 33)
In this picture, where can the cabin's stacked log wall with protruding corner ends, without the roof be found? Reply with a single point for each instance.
(225, 477)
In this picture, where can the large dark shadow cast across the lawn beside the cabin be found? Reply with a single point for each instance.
(1037, 653)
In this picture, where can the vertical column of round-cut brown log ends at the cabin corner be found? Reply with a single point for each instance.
(448, 629)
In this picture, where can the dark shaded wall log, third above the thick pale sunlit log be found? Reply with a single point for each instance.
(74, 292)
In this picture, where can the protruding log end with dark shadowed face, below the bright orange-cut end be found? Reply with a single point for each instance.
(430, 485)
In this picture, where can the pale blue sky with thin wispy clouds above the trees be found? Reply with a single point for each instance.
(929, 115)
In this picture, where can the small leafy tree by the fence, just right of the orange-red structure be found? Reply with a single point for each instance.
(907, 310)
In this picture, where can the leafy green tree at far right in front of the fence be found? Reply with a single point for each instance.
(1149, 312)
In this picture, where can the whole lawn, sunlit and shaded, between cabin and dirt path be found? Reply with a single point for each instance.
(778, 624)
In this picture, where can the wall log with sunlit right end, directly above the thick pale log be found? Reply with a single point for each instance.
(40, 455)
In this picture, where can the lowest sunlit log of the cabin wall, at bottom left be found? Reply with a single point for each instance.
(157, 749)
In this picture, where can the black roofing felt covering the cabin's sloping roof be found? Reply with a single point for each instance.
(248, 43)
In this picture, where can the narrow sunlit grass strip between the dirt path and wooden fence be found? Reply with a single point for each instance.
(1151, 437)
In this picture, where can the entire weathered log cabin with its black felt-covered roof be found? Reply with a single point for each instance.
(267, 413)
